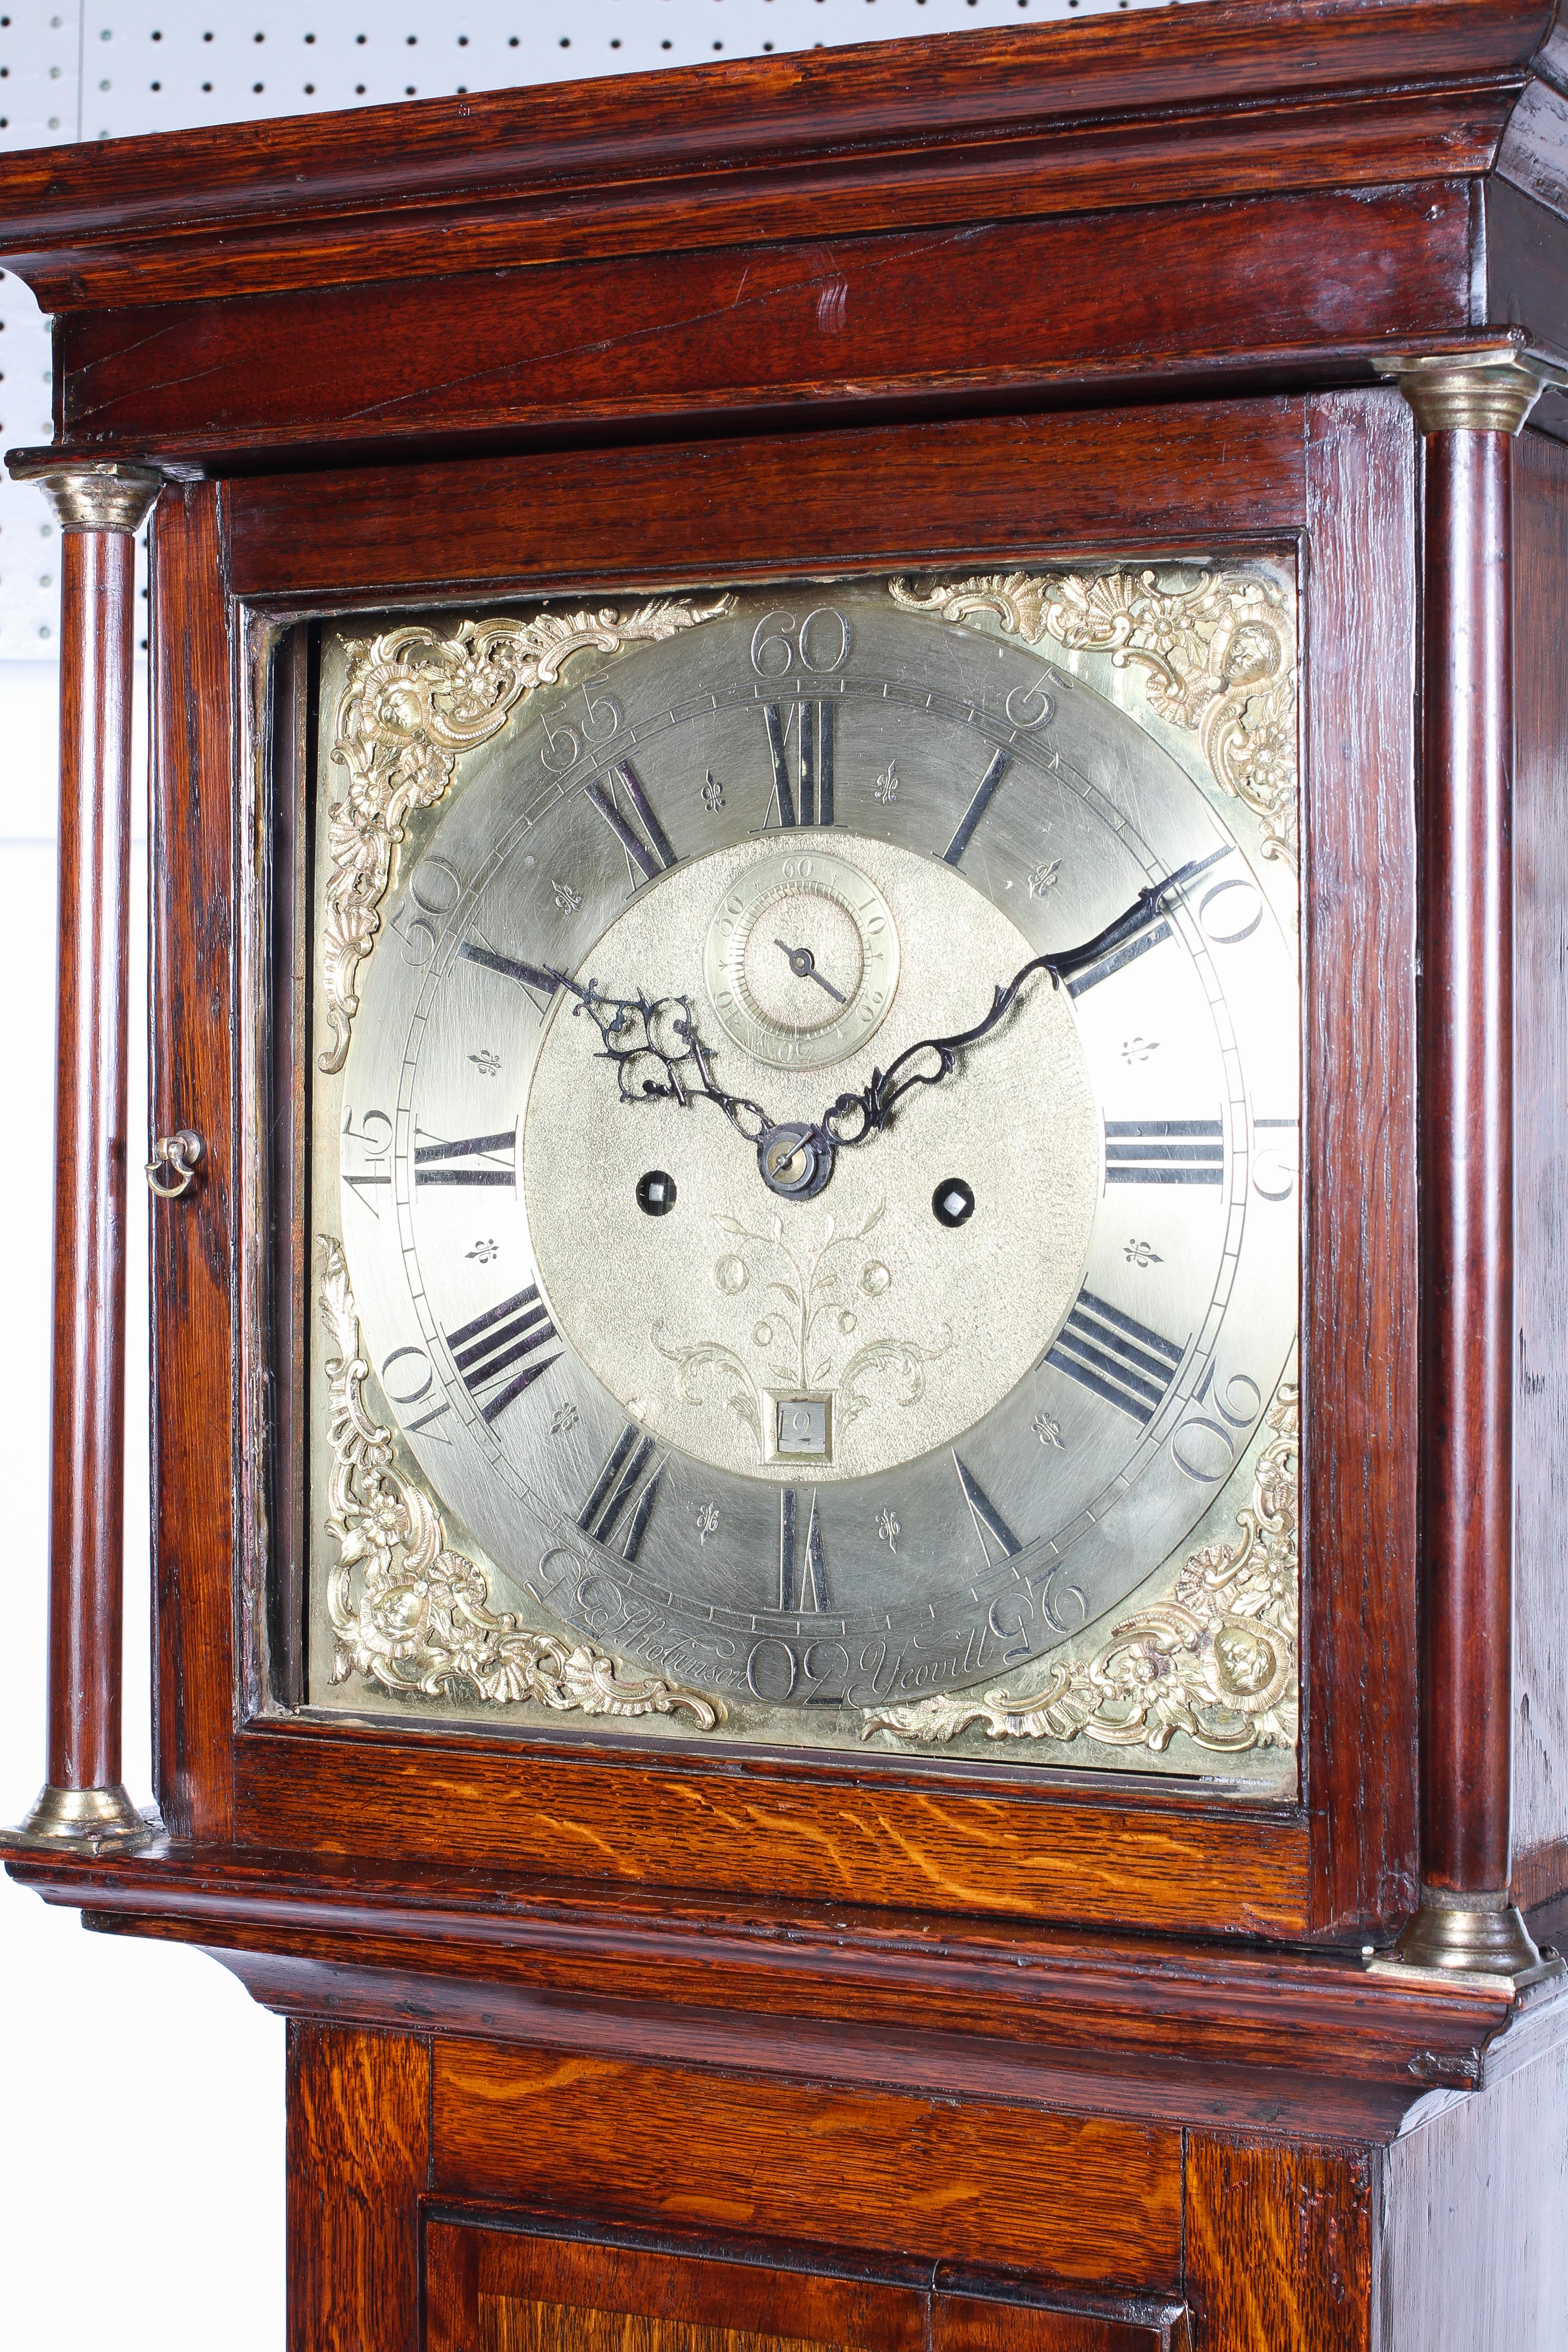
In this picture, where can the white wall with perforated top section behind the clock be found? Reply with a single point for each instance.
(140, 2090)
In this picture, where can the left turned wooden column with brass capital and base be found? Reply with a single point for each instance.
(100, 509)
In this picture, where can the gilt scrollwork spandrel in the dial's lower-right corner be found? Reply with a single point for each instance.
(1217, 1659)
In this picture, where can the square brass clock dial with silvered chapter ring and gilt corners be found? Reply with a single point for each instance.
(803, 1168)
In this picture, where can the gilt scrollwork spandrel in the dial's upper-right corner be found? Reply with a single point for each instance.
(1214, 657)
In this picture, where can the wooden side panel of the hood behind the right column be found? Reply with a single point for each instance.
(1541, 1104)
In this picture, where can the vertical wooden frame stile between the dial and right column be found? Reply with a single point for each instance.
(1360, 1323)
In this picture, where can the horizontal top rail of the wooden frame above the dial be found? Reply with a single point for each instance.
(923, 495)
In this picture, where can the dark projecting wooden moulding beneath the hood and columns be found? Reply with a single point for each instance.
(502, 1956)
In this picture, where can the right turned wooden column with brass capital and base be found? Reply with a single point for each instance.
(1470, 410)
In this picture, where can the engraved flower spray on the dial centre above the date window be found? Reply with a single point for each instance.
(805, 1321)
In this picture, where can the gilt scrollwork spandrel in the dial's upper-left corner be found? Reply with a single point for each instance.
(413, 704)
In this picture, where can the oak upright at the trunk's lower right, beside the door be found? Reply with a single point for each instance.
(1280, 2247)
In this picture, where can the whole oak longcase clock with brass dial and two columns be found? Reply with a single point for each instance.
(855, 1208)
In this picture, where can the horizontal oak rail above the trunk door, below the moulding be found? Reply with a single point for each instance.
(1054, 2196)
